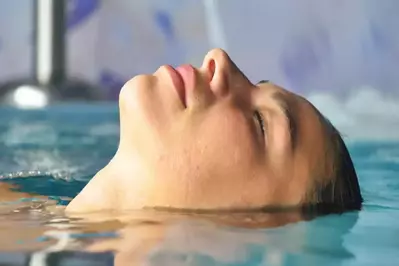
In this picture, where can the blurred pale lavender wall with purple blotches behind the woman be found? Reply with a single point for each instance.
(342, 55)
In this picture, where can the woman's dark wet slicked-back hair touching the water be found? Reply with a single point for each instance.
(342, 191)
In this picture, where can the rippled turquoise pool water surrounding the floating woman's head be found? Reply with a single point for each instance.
(53, 153)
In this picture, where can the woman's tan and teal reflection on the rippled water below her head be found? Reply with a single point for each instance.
(38, 227)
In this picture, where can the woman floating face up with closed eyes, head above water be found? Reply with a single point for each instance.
(208, 139)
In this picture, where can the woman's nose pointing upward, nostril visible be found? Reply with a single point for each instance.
(224, 75)
